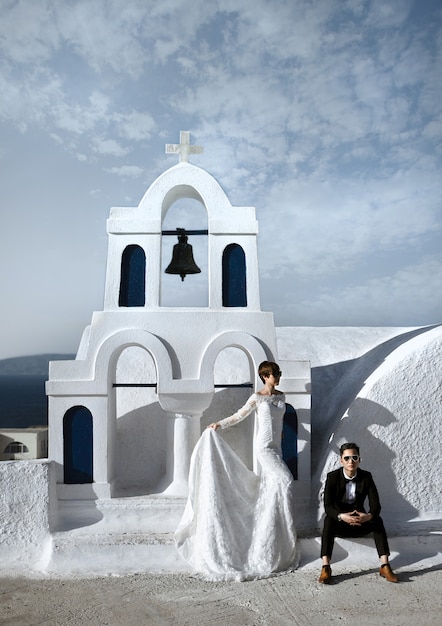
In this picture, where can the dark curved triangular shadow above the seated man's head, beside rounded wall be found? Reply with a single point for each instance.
(336, 386)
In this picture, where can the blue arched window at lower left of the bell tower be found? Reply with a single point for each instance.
(77, 445)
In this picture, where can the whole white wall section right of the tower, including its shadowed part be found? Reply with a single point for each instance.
(382, 389)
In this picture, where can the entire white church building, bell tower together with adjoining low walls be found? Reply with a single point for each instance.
(125, 415)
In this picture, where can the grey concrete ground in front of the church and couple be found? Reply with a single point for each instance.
(358, 594)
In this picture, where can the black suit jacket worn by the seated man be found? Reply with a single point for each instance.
(334, 494)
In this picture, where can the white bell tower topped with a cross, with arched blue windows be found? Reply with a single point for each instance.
(144, 373)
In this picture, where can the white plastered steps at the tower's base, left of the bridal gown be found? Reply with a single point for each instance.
(118, 535)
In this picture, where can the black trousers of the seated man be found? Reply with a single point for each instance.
(333, 528)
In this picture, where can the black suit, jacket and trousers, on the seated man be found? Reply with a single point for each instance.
(334, 503)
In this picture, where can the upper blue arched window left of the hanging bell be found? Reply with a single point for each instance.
(133, 277)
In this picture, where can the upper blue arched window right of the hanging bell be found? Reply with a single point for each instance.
(234, 276)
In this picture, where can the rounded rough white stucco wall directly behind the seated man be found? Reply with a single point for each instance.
(396, 418)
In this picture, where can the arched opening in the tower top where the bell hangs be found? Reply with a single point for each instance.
(189, 214)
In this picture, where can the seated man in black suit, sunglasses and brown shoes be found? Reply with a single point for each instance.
(345, 492)
